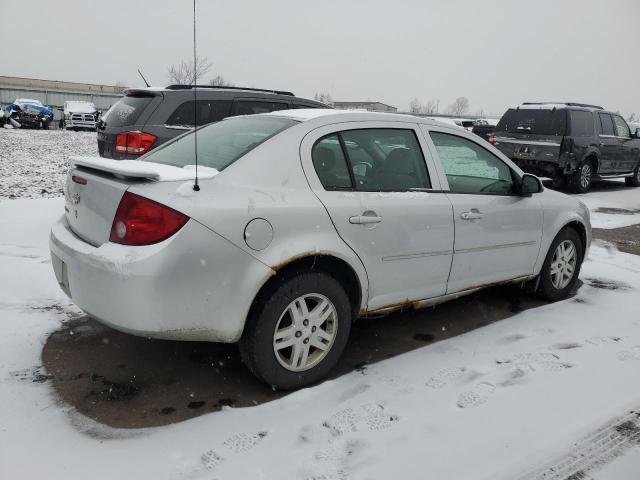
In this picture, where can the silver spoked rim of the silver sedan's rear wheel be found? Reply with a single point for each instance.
(305, 332)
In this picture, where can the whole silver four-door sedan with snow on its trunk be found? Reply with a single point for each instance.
(306, 220)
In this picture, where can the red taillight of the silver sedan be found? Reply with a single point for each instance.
(140, 221)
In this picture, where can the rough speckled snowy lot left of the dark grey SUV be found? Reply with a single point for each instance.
(33, 163)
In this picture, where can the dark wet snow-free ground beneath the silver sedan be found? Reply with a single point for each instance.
(130, 382)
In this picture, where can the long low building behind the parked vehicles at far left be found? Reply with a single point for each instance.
(54, 93)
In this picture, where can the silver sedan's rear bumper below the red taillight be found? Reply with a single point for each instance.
(193, 286)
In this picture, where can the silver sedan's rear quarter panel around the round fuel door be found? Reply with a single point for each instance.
(267, 183)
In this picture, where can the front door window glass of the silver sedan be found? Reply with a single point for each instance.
(470, 168)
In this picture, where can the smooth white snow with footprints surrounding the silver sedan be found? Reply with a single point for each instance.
(499, 402)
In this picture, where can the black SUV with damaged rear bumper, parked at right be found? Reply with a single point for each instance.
(572, 143)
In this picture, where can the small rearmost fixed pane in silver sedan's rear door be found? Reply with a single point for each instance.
(331, 164)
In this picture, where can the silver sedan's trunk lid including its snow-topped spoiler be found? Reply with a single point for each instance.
(96, 185)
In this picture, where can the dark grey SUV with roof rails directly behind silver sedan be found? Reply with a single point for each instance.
(148, 117)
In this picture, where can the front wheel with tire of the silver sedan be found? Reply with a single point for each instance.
(553, 283)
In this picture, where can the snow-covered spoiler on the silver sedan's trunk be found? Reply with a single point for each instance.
(139, 169)
